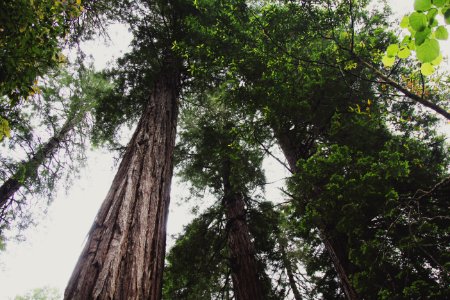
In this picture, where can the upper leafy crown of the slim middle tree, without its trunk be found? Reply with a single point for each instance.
(211, 134)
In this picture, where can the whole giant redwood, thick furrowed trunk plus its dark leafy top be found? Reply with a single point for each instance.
(124, 254)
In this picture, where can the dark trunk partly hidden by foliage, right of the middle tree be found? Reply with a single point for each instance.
(337, 257)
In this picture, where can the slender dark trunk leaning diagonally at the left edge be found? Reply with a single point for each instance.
(21, 178)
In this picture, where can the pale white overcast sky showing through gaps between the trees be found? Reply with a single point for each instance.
(51, 249)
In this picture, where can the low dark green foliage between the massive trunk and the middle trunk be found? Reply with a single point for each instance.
(197, 264)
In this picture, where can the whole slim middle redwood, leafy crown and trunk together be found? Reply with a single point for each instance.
(215, 154)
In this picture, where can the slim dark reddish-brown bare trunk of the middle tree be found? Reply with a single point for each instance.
(246, 282)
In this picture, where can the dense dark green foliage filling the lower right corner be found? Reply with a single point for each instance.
(365, 197)
